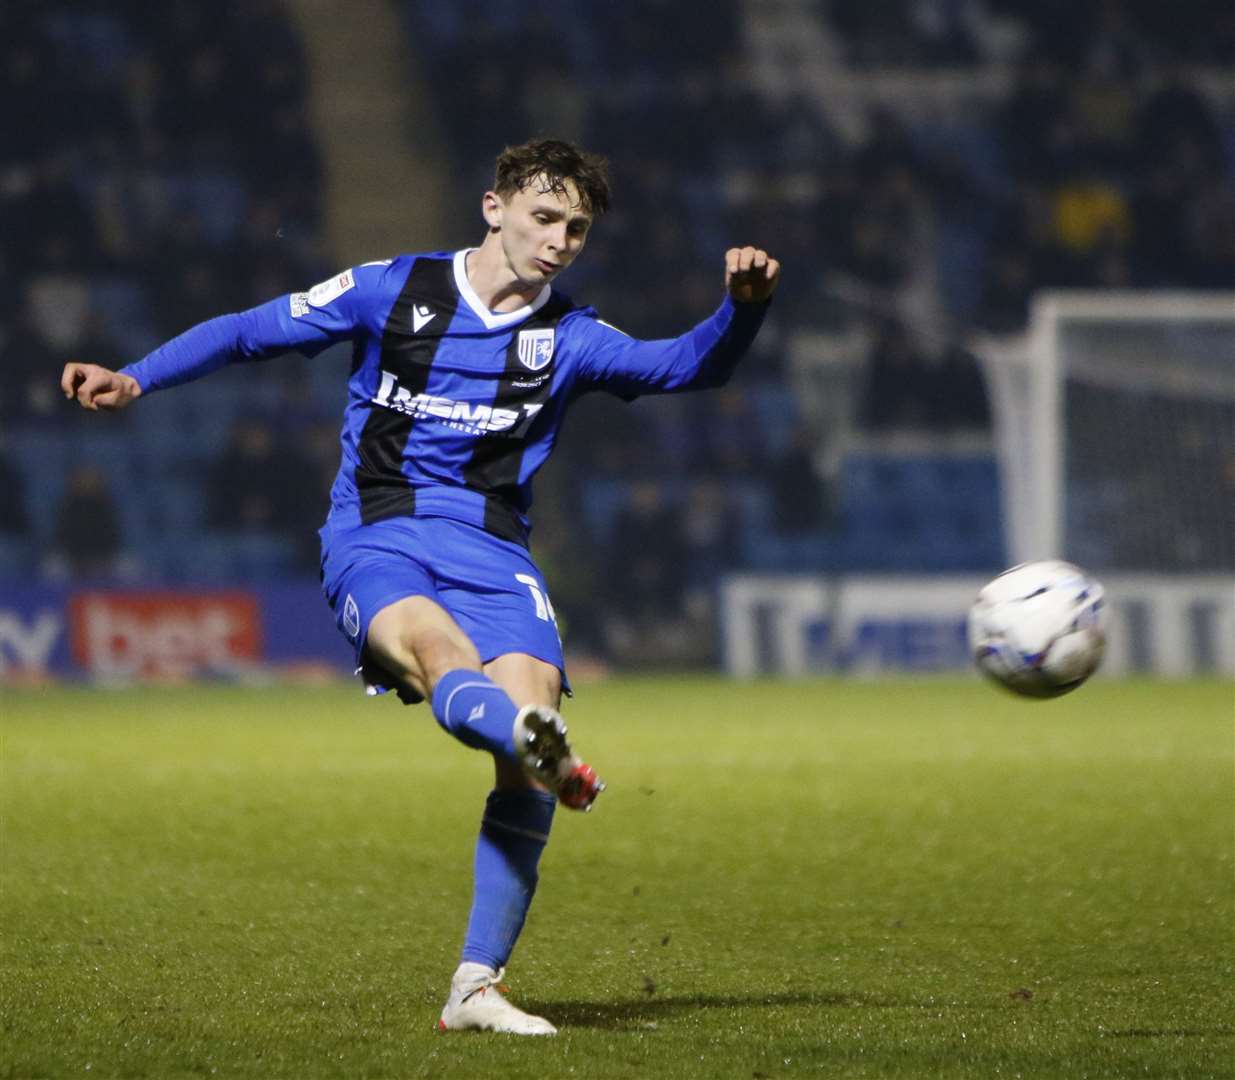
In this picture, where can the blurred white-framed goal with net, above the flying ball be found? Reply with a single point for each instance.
(1116, 432)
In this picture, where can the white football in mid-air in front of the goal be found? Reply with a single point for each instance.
(1039, 630)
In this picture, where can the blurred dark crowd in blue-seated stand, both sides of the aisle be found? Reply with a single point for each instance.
(160, 169)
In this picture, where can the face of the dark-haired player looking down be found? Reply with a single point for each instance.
(543, 232)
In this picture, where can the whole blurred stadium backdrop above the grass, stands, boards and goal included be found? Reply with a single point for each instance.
(918, 413)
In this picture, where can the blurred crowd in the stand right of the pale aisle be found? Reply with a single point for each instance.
(1101, 164)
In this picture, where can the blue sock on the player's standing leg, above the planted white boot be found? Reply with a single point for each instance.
(513, 835)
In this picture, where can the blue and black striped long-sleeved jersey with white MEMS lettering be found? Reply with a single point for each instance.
(453, 408)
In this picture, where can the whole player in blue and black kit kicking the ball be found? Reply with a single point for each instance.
(464, 366)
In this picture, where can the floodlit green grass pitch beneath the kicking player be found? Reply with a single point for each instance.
(905, 879)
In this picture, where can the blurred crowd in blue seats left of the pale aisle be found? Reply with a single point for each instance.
(141, 191)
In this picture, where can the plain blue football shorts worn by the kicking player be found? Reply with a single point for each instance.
(490, 586)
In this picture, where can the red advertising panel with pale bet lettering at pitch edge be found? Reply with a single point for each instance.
(164, 635)
